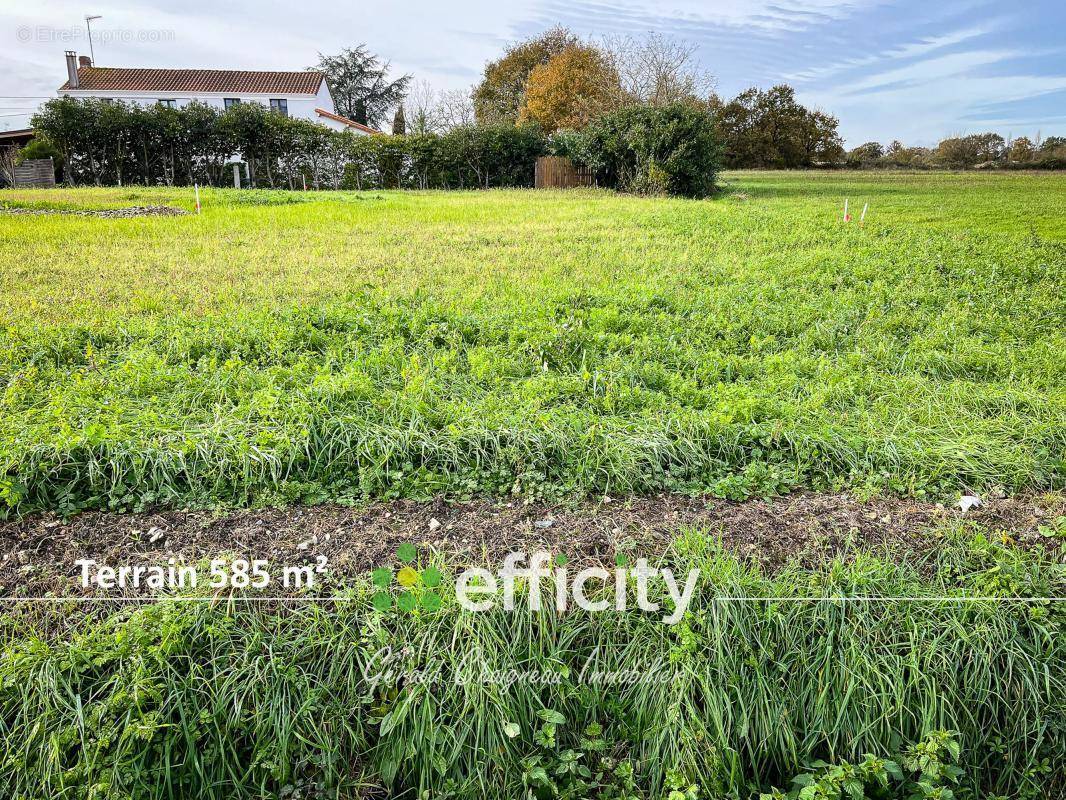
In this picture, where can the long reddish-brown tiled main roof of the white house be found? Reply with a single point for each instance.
(237, 82)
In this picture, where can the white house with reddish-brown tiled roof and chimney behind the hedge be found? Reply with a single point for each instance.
(304, 95)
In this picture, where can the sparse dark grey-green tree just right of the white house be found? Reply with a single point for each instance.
(361, 87)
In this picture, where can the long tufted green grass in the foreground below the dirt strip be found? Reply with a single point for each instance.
(239, 700)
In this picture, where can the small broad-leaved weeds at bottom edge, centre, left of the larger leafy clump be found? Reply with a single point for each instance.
(591, 771)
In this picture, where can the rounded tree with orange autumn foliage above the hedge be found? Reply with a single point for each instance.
(571, 89)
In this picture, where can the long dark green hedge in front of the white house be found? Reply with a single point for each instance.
(117, 143)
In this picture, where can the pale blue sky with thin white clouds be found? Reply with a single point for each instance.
(914, 71)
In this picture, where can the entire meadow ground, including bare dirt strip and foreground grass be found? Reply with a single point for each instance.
(405, 385)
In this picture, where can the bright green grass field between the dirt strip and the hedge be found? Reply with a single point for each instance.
(300, 347)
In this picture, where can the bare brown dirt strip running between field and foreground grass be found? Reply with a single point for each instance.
(38, 554)
